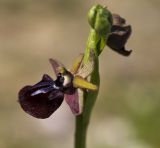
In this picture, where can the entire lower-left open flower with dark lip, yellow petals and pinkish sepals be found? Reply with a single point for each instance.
(45, 97)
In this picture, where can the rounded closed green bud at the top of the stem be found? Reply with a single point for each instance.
(100, 19)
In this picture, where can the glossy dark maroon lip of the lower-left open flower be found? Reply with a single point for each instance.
(43, 98)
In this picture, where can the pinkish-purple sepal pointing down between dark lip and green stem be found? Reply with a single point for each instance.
(75, 102)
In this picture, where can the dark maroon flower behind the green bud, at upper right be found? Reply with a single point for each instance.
(120, 33)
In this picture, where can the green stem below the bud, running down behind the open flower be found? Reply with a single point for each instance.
(82, 121)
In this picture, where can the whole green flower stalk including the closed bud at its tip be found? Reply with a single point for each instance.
(98, 19)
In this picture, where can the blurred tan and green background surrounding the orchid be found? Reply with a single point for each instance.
(127, 111)
